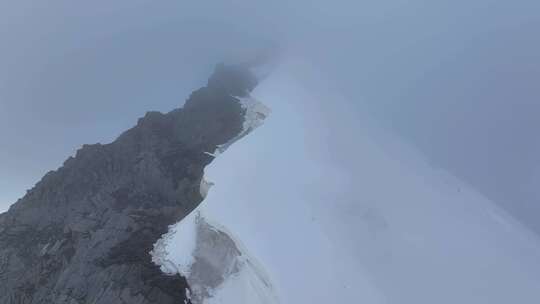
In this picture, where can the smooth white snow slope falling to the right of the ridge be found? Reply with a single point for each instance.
(338, 211)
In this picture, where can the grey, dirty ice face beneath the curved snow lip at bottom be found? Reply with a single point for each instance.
(222, 270)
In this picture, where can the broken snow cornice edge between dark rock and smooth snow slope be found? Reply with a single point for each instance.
(217, 266)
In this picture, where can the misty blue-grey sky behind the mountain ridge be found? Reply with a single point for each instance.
(459, 79)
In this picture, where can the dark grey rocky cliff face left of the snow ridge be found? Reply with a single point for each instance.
(83, 234)
